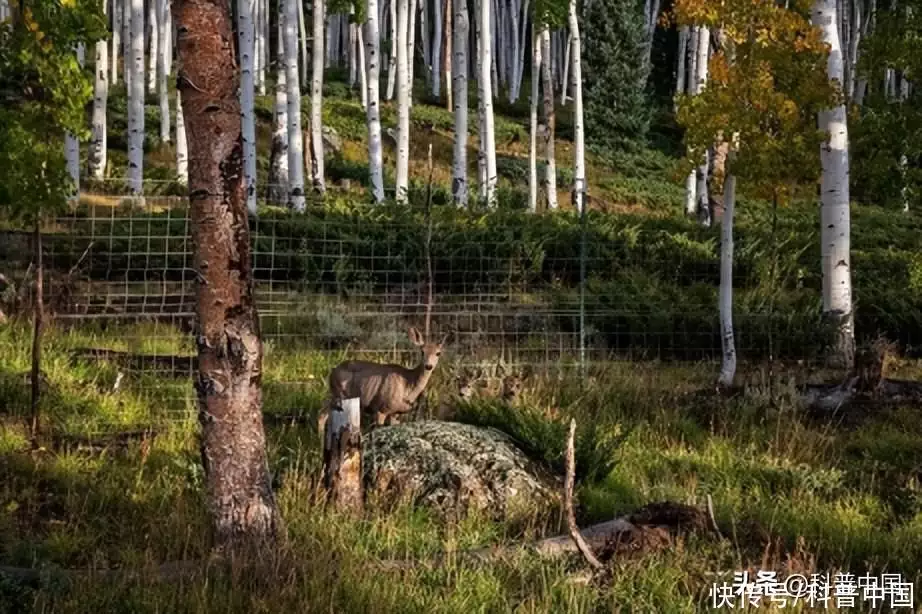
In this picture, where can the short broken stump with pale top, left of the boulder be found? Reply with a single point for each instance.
(342, 456)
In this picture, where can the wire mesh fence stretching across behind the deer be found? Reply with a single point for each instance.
(537, 292)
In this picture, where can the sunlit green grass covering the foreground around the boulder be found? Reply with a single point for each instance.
(851, 495)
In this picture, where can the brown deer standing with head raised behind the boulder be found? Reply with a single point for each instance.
(386, 390)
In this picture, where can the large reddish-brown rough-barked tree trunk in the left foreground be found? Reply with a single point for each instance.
(228, 382)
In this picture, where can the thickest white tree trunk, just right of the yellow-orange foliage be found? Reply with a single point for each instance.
(834, 212)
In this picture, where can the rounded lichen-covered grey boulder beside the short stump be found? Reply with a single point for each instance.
(454, 468)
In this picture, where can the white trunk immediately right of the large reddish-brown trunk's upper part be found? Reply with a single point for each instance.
(246, 40)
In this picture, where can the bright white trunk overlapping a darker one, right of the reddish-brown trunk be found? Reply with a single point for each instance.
(292, 78)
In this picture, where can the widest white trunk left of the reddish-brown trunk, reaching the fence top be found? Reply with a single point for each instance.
(136, 100)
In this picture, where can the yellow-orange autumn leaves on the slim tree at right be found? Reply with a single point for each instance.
(767, 82)
